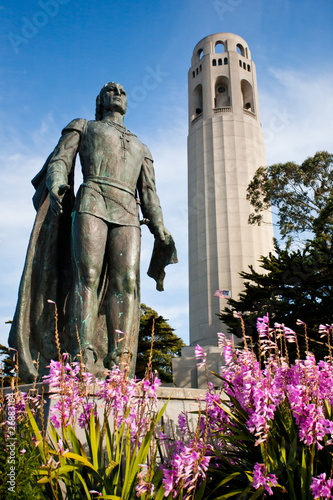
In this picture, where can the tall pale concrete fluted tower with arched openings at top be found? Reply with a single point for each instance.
(225, 147)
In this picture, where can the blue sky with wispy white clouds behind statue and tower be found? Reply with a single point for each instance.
(57, 54)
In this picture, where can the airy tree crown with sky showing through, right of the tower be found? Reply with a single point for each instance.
(302, 195)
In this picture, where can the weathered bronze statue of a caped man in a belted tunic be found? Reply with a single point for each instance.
(84, 252)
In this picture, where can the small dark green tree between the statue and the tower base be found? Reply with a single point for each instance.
(166, 345)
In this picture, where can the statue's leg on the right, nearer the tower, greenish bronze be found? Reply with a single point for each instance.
(123, 246)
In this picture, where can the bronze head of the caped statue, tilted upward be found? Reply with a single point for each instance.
(112, 97)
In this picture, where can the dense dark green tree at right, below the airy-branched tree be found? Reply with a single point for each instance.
(293, 285)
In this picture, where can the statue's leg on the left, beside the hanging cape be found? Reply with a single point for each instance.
(89, 236)
